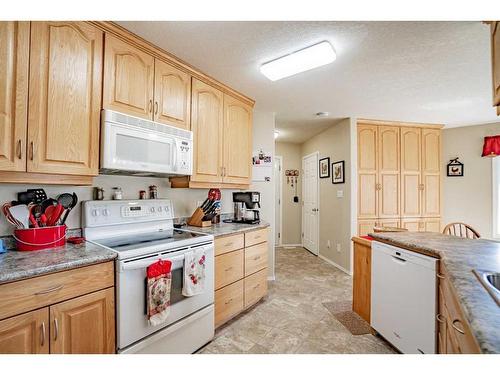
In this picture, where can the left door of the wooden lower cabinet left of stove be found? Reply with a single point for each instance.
(26, 333)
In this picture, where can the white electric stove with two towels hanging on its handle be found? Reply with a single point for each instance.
(141, 232)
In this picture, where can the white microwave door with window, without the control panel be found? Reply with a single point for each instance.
(134, 149)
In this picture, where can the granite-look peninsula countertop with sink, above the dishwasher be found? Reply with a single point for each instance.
(460, 257)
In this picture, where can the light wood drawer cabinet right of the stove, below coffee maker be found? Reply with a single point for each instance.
(240, 273)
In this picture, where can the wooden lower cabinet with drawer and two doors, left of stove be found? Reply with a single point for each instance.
(73, 315)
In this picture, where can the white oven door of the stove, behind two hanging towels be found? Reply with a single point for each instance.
(132, 321)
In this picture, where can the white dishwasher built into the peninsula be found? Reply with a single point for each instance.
(403, 298)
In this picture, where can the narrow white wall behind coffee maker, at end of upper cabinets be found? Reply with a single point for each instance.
(263, 138)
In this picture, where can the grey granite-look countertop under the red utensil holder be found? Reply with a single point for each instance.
(17, 265)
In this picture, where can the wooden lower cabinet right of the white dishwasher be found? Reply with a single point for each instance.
(454, 333)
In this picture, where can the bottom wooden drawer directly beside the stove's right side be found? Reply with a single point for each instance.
(228, 302)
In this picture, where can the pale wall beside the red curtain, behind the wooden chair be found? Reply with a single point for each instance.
(469, 198)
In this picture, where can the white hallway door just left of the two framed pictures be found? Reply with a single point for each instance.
(310, 207)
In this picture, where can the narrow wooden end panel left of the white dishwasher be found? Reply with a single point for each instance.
(361, 288)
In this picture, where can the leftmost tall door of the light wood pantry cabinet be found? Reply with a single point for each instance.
(367, 172)
